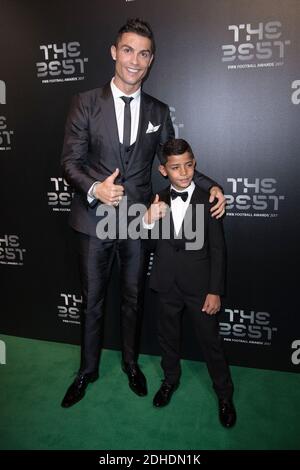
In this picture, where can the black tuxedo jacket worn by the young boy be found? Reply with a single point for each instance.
(196, 272)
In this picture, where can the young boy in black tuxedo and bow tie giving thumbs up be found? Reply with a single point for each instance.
(188, 275)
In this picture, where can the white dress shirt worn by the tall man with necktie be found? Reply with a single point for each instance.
(119, 110)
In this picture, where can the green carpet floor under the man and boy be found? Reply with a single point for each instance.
(37, 373)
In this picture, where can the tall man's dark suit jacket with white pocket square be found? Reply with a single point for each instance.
(91, 151)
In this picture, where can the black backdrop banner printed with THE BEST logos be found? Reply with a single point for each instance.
(229, 70)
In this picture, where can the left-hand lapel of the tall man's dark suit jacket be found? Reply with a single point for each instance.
(109, 115)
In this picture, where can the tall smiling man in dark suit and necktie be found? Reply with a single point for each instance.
(112, 135)
